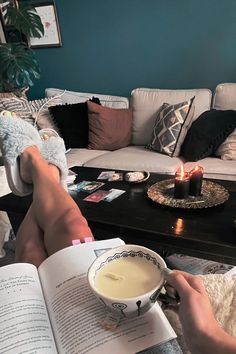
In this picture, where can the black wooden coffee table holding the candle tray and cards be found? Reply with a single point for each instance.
(207, 233)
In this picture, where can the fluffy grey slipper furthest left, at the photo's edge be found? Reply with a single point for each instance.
(15, 136)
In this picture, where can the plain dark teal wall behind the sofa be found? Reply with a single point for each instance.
(113, 46)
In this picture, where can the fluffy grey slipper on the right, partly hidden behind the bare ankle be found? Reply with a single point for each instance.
(53, 150)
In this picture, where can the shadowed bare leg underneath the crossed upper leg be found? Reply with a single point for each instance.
(29, 241)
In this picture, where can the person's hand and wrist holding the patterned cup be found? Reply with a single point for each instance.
(202, 332)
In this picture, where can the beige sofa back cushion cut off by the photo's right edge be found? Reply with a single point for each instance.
(224, 96)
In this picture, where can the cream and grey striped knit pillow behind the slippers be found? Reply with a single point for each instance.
(35, 112)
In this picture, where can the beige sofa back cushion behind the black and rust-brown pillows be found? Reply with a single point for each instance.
(78, 97)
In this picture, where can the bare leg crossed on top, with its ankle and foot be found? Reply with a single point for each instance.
(55, 212)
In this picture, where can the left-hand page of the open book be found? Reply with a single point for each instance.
(24, 323)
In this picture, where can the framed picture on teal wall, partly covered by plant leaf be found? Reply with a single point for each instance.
(48, 14)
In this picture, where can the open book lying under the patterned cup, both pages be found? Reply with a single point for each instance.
(52, 310)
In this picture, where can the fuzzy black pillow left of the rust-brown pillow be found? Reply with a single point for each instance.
(72, 122)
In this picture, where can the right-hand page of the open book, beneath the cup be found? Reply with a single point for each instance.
(76, 314)
